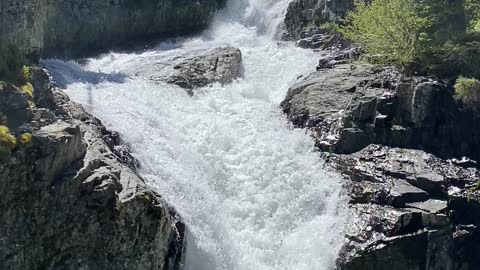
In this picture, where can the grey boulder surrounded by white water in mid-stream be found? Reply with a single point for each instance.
(221, 65)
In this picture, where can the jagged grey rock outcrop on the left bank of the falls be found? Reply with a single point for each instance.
(71, 198)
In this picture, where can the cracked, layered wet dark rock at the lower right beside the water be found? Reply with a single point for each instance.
(399, 221)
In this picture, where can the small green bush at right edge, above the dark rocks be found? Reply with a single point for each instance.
(468, 91)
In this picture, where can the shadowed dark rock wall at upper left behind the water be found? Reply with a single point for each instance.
(67, 28)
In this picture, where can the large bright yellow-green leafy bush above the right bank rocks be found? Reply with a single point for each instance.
(390, 31)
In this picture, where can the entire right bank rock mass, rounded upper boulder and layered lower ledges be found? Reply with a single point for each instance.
(412, 209)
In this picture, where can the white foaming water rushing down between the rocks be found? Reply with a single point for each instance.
(251, 189)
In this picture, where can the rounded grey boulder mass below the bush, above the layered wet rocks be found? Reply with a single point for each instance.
(351, 106)
